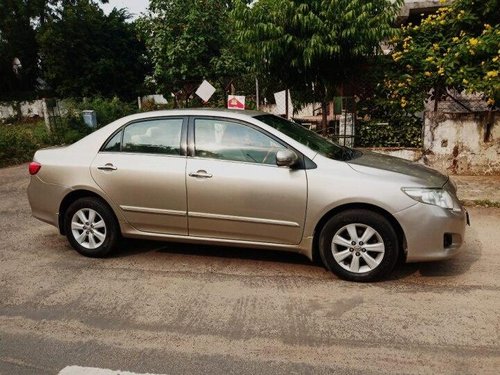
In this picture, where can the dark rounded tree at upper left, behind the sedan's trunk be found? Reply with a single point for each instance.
(86, 53)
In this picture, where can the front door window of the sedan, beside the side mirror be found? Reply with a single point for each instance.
(225, 140)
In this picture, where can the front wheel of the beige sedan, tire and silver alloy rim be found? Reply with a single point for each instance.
(359, 245)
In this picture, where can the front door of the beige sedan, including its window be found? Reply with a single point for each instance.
(236, 190)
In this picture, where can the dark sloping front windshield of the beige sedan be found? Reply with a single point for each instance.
(308, 138)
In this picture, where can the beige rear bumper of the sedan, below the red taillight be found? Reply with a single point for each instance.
(45, 199)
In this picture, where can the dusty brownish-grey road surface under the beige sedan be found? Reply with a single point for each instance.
(177, 309)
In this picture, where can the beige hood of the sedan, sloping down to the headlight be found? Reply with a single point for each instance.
(375, 163)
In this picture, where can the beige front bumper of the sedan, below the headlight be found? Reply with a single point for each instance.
(432, 233)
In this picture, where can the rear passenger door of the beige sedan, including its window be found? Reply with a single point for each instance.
(142, 169)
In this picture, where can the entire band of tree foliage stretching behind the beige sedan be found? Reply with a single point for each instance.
(313, 47)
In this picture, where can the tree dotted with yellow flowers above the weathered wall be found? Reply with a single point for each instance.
(456, 48)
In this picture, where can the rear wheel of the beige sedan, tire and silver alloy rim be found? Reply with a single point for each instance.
(91, 227)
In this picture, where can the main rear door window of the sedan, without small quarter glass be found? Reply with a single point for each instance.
(162, 136)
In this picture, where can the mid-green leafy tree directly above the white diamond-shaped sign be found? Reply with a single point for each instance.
(188, 41)
